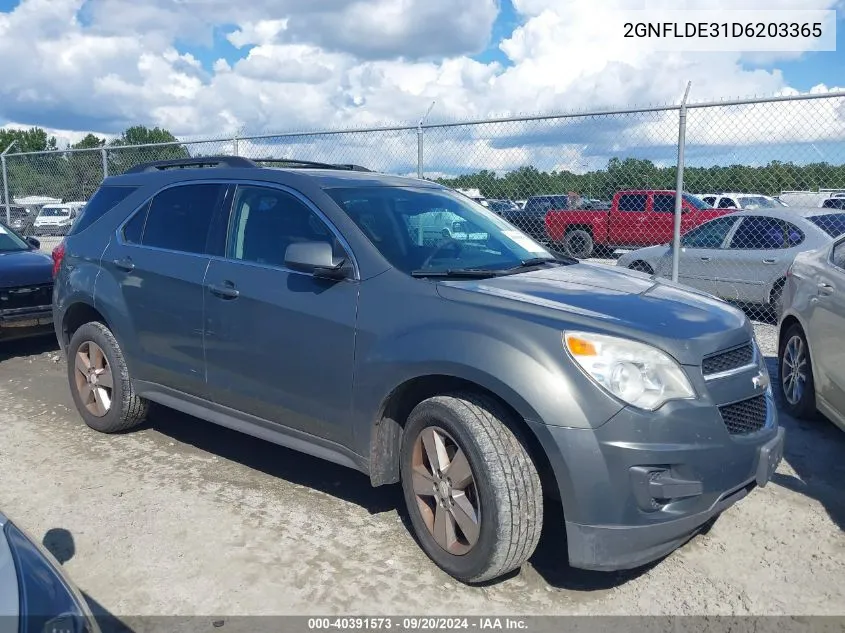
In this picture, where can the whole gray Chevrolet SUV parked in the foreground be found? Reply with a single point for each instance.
(303, 303)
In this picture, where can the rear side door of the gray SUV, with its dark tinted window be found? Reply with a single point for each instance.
(159, 262)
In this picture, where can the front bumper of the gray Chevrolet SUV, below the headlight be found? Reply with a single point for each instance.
(641, 485)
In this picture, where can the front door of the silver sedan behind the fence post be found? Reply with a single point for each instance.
(698, 261)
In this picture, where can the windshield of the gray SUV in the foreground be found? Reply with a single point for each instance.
(435, 230)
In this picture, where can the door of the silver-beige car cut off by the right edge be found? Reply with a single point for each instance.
(825, 329)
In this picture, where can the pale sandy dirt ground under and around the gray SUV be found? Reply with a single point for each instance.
(182, 517)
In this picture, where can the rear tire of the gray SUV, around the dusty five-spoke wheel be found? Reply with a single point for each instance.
(126, 409)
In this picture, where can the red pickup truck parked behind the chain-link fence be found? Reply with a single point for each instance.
(636, 218)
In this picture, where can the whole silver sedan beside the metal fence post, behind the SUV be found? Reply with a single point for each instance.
(743, 256)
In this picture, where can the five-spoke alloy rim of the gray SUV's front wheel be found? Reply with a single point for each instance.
(445, 491)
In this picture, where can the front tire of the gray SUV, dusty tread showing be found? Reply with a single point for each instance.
(506, 493)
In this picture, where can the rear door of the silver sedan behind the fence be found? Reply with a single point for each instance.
(756, 257)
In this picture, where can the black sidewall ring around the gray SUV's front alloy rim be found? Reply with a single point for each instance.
(436, 413)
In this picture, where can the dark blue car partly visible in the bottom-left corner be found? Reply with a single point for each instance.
(36, 594)
